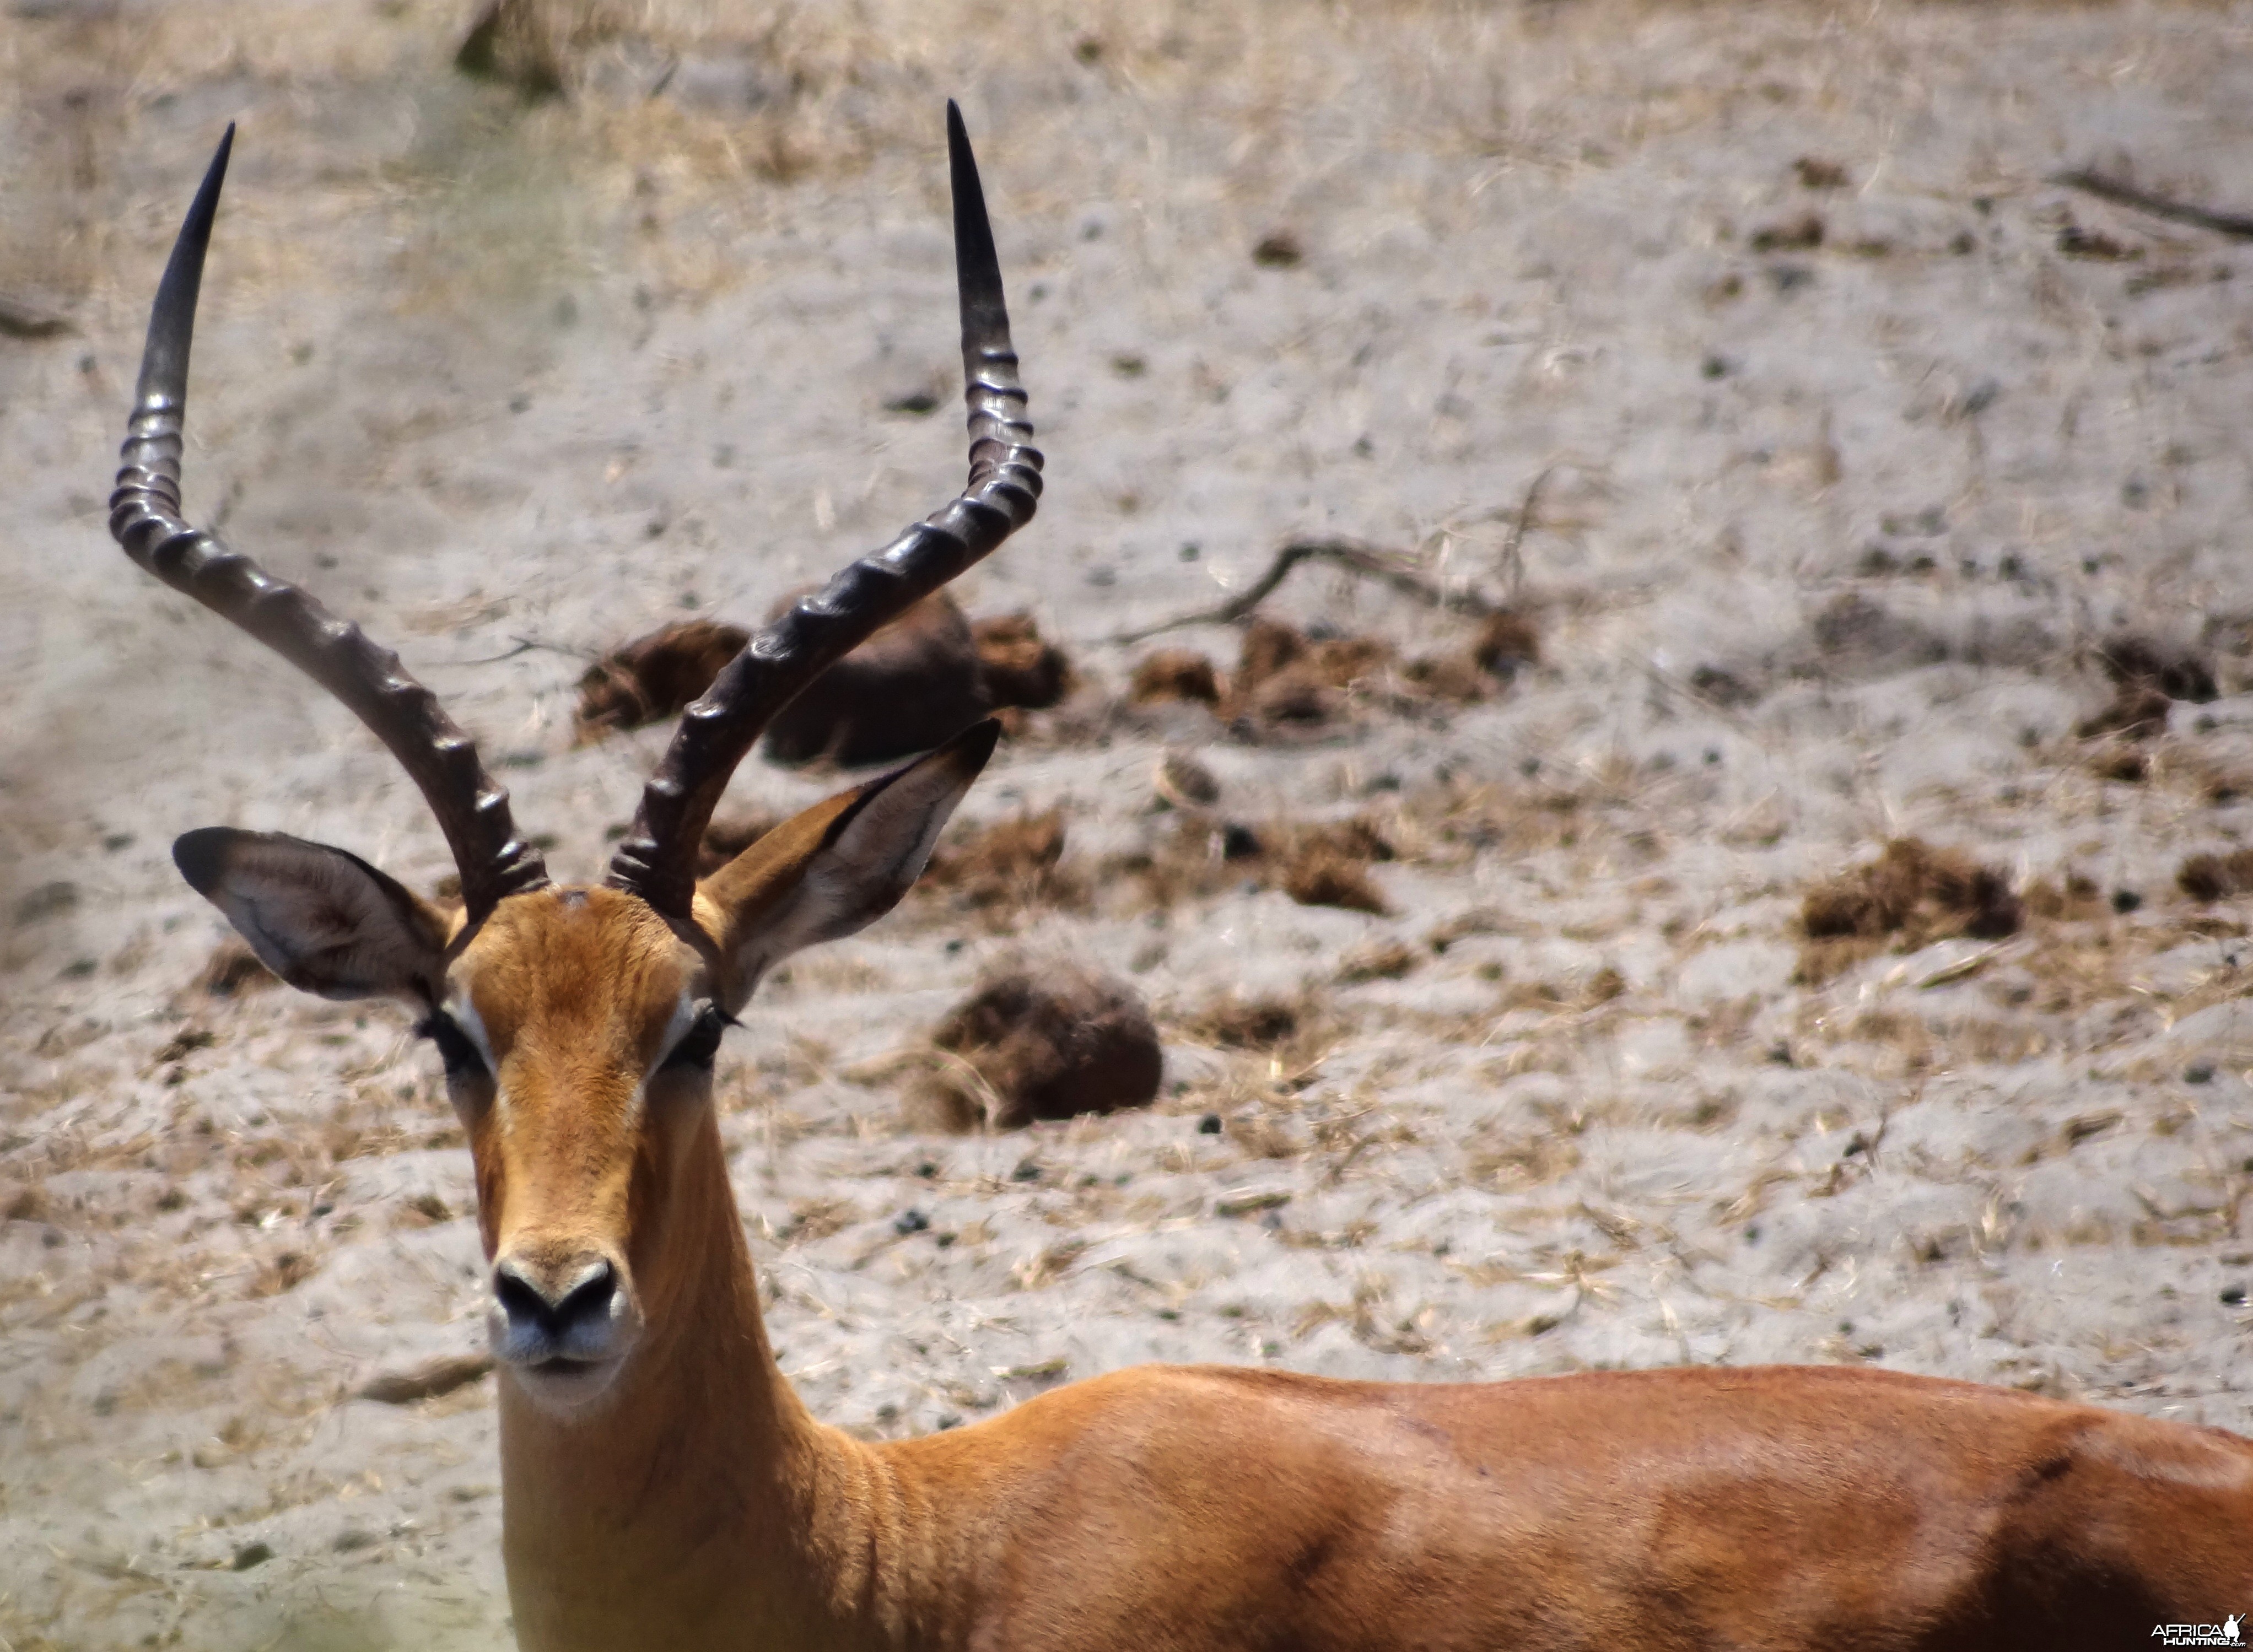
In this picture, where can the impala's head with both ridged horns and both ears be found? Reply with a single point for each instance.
(578, 1024)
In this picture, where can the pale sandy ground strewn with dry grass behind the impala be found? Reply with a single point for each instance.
(1831, 538)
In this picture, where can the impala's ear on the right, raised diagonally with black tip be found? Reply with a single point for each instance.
(839, 867)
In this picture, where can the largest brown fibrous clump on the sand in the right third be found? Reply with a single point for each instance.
(1909, 896)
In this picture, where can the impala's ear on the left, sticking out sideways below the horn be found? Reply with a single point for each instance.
(323, 921)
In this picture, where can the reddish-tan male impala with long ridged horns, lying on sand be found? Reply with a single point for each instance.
(664, 1484)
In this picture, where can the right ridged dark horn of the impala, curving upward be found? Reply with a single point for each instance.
(659, 855)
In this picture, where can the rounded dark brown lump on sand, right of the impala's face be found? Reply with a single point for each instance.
(1051, 1040)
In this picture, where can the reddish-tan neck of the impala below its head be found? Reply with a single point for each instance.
(700, 1504)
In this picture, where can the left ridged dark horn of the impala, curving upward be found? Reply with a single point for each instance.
(404, 716)
